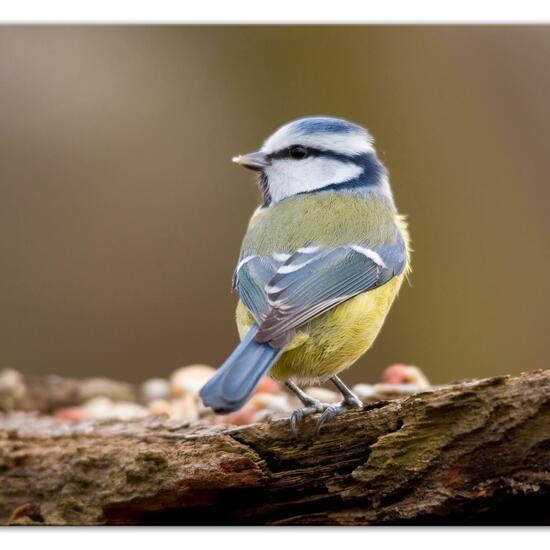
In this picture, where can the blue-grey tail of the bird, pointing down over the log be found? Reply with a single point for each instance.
(235, 381)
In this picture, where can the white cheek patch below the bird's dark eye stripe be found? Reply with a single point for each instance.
(288, 177)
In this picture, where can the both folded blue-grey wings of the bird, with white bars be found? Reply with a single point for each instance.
(283, 295)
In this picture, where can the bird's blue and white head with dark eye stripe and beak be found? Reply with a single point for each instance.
(317, 154)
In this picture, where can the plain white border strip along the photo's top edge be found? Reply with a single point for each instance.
(278, 11)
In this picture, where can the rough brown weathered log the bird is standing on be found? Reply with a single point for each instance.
(474, 452)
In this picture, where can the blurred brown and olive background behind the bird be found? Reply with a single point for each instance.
(121, 215)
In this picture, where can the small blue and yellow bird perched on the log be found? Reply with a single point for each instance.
(323, 259)
